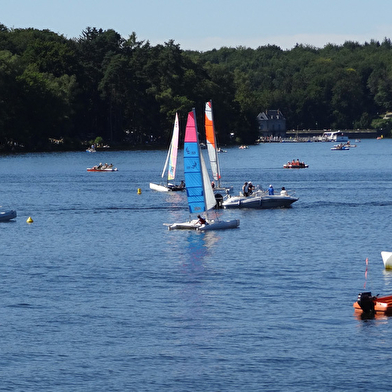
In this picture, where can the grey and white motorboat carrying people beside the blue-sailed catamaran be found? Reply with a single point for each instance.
(259, 199)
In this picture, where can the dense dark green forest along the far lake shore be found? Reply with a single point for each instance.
(125, 92)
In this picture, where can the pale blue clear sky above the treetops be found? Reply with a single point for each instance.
(210, 24)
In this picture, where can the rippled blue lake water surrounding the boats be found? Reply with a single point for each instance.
(97, 295)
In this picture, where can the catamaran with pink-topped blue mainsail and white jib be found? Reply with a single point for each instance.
(199, 191)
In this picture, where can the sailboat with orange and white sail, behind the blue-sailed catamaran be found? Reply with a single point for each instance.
(213, 150)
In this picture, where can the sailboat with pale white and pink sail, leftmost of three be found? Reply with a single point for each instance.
(171, 163)
